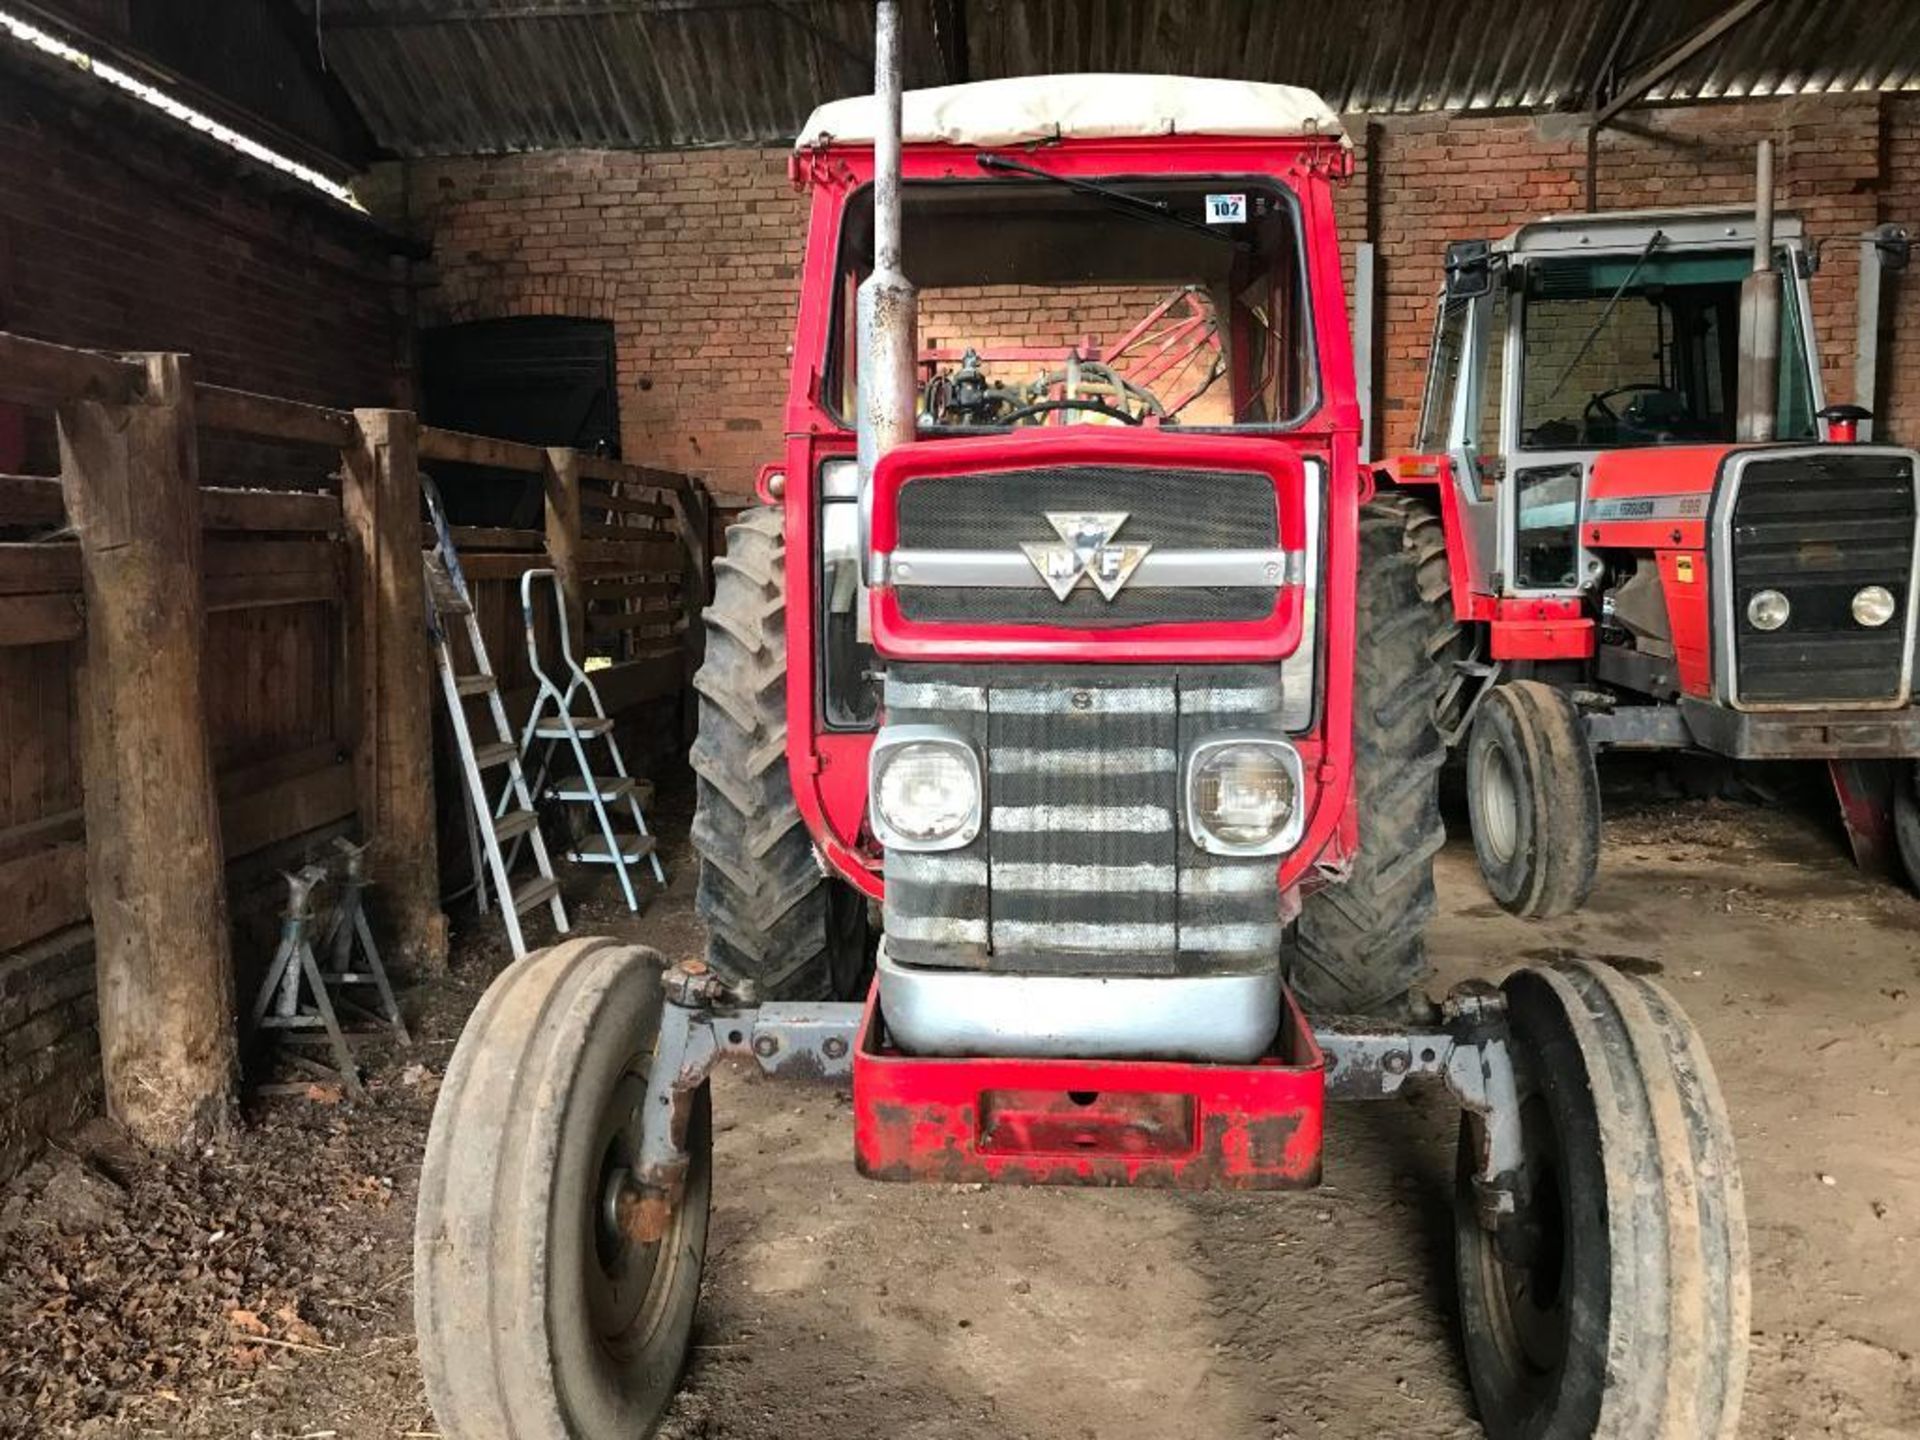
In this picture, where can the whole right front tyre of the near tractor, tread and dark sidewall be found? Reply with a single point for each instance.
(1614, 1305)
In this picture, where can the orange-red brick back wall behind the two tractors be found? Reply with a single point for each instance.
(696, 254)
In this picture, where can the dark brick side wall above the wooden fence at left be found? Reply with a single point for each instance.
(120, 235)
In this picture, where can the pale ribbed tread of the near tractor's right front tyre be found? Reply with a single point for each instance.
(1677, 1330)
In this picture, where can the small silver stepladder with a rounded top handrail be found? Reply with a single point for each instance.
(575, 719)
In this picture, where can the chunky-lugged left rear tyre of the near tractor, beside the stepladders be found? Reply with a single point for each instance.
(777, 926)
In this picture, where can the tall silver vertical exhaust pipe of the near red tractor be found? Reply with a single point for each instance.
(886, 304)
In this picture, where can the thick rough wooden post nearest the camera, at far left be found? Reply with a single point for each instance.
(155, 865)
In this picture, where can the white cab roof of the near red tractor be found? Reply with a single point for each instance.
(1078, 108)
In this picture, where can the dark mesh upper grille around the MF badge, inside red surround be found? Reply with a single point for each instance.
(1170, 508)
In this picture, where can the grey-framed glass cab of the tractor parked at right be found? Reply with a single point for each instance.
(1585, 335)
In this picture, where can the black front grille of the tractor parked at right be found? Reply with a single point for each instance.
(1817, 527)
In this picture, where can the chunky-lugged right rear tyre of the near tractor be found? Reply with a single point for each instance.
(1358, 948)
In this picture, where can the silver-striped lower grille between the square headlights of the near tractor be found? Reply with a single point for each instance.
(1084, 865)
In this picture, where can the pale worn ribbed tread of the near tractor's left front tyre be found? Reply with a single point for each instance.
(487, 1189)
